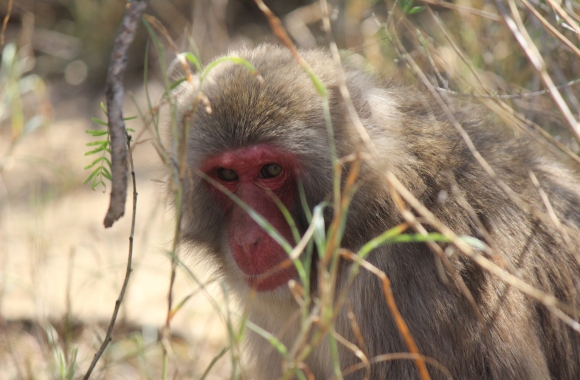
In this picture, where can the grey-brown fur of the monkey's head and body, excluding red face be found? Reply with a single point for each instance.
(520, 338)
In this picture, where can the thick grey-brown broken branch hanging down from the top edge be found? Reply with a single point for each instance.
(114, 93)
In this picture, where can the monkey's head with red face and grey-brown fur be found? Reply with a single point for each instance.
(261, 141)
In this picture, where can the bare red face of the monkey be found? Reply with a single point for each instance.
(248, 173)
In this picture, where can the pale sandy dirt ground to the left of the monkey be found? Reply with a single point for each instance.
(57, 260)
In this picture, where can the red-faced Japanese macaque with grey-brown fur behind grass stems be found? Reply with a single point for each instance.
(267, 143)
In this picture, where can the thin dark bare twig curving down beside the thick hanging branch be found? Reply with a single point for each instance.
(129, 269)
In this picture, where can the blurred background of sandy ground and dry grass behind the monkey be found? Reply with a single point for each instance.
(61, 271)
